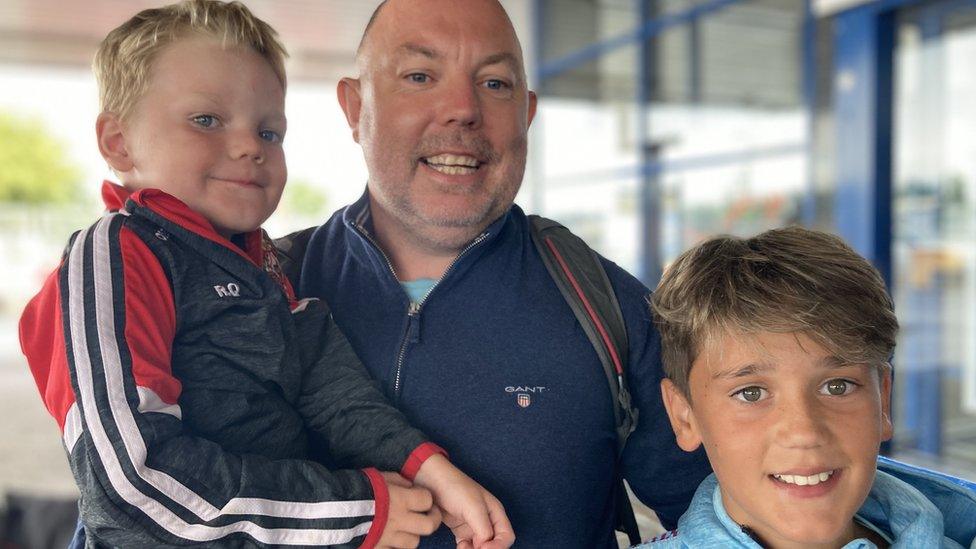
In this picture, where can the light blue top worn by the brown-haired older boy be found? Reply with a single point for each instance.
(908, 506)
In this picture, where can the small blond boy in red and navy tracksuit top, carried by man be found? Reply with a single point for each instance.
(191, 387)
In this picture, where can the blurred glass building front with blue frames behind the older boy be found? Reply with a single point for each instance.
(665, 121)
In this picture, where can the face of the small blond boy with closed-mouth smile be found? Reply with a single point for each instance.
(209, 131)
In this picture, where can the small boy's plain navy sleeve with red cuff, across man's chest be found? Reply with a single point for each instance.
(345, 411)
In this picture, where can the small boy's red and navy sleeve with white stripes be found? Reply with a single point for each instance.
(98, 339)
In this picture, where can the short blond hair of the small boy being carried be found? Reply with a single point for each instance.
(123, 63)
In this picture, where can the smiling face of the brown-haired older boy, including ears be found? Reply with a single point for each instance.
(791, 432)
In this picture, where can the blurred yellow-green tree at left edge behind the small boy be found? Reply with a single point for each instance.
(34, 168)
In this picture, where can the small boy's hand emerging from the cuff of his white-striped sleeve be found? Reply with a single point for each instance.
(412, 514)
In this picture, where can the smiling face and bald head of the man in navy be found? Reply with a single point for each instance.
(441, 111)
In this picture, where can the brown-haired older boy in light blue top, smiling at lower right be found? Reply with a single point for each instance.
(776, 352)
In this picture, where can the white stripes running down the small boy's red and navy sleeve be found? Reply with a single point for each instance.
(135, 447)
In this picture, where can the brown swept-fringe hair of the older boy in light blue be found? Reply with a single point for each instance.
(782, 281)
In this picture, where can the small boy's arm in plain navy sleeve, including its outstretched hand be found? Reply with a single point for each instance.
(342, 404)
